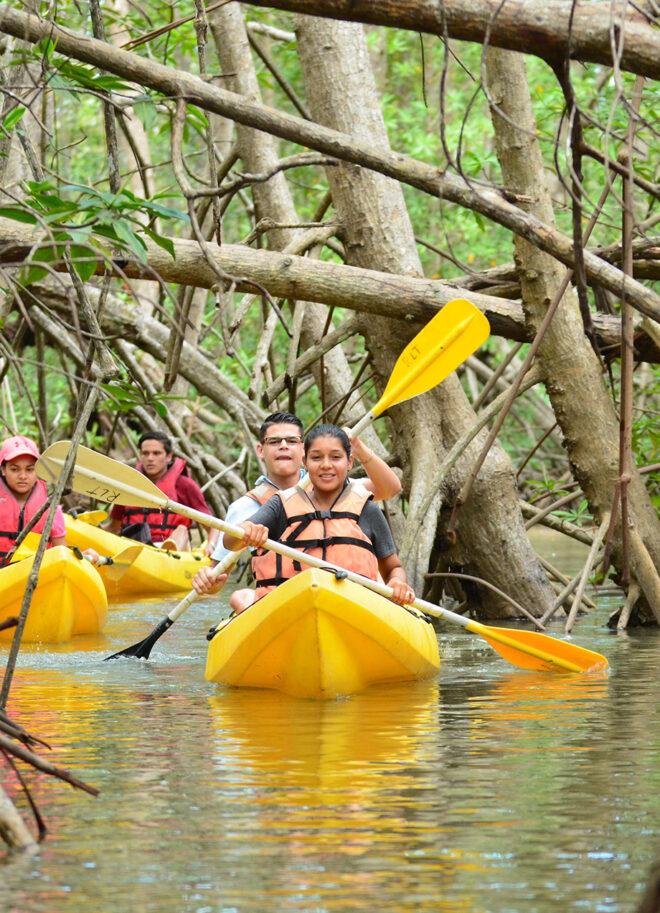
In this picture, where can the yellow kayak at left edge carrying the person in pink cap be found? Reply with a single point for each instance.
(69, 598)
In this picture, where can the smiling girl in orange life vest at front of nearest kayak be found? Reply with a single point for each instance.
(352, 532)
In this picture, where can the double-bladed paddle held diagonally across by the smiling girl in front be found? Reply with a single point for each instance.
(107, 480)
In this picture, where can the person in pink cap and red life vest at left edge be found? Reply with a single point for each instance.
(22, 494)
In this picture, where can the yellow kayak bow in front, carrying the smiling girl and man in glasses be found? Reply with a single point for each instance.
(319, 637)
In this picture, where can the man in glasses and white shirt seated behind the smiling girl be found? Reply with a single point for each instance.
(281, 446)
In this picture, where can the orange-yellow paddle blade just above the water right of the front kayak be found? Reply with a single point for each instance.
(539, 652)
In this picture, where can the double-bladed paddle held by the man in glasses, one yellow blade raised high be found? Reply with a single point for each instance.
(453, 334)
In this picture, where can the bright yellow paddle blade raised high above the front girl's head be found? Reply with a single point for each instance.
(445, 342)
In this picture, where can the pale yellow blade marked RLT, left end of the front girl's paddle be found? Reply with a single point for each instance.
(100, 477)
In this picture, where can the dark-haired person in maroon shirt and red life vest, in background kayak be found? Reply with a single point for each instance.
(163, 528)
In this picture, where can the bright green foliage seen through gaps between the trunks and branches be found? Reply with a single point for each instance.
(435, 110)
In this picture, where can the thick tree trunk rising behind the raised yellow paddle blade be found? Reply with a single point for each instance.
(377, 233)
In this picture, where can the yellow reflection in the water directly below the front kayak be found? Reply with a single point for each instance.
(342, 794)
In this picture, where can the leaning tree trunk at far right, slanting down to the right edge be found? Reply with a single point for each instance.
(572, 372)
